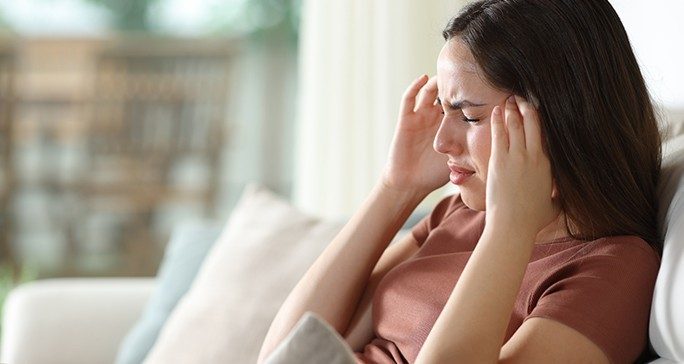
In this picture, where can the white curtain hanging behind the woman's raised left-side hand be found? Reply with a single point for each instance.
(356, 59)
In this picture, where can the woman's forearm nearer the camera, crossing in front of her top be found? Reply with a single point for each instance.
(473, 323)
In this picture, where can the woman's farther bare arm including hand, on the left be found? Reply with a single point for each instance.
(334, 284)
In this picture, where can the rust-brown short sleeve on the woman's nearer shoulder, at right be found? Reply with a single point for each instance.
(606, 295)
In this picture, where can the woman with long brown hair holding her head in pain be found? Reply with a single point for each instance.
(540, 114)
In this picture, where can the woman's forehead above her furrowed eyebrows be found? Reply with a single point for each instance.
(457, 72)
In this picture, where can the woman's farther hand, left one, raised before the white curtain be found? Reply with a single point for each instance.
(413, 164)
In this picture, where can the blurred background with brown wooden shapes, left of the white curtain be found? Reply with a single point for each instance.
(120, 118)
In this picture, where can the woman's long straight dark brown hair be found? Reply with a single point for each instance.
(572, 59)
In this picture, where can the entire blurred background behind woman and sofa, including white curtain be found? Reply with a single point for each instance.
(120, 119)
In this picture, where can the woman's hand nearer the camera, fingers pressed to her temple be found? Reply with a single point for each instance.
(519, 179)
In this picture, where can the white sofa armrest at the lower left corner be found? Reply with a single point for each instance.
(71, 320)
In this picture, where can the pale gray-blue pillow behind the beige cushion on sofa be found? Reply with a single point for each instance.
(189, 245)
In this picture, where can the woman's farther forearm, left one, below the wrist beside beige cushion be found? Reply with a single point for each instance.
(333, 285)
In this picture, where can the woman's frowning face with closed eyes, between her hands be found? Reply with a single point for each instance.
(467, 143)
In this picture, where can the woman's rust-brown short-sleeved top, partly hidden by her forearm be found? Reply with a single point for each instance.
(601, 288)
